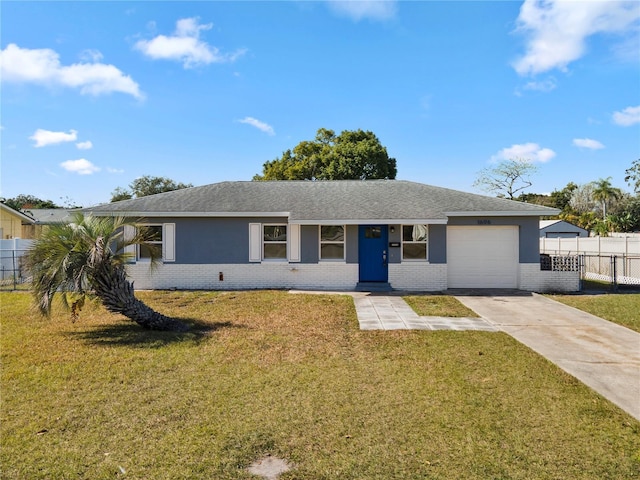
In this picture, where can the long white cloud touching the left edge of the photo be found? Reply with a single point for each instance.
(42, 66)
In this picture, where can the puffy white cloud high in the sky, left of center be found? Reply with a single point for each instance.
(185, 46)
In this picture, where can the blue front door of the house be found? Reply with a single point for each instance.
(372, 253)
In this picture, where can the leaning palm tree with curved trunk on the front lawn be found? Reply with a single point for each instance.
(87, 257)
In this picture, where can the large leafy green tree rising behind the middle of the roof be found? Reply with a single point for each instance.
(352, 155)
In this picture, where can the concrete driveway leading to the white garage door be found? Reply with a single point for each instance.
(603, 355)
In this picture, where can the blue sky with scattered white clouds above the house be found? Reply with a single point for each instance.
(96, 94)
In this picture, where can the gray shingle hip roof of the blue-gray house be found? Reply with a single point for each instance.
(348, 201)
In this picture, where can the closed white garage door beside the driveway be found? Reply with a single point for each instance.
(482, 257)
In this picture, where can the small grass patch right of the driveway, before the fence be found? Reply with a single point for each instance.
(622, 308)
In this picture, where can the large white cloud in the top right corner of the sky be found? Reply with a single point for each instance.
(557, 30)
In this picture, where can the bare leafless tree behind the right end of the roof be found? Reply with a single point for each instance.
(507, 178)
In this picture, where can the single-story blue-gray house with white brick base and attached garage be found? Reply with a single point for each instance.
(339, 235)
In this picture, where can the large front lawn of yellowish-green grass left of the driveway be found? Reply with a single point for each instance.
(293, 376)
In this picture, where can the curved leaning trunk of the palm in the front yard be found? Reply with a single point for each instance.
(117, 295)
